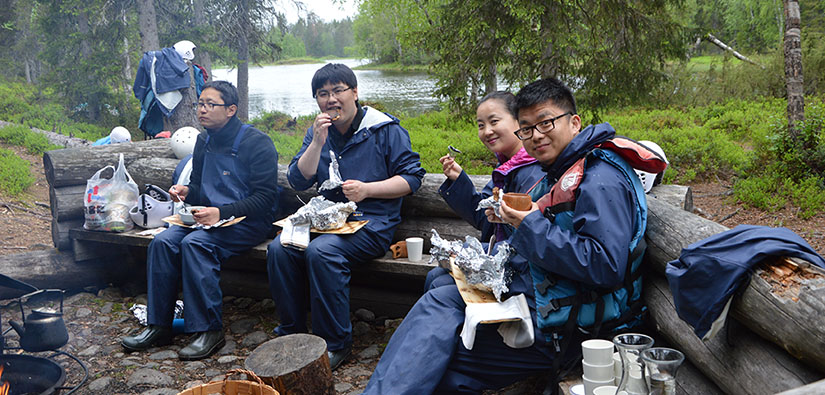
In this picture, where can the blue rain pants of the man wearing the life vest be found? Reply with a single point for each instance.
(425, 354)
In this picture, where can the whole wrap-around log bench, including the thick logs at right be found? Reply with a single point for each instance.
(391, 286)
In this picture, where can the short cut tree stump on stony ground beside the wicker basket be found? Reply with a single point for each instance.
(293, 364)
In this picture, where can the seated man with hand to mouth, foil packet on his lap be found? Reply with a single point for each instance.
(378, 167)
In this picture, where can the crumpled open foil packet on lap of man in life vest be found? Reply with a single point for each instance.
(487, 272)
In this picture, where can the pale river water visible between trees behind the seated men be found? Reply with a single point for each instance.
(287, 88)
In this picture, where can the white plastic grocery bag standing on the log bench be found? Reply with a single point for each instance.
(107, 200)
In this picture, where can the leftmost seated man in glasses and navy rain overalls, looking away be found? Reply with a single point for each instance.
(234, 174)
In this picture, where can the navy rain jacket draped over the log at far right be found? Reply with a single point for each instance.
(709, 271)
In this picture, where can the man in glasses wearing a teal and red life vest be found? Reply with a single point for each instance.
(573, 257)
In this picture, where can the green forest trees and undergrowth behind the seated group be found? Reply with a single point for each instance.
(647, 67)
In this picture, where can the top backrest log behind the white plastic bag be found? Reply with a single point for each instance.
(73, 166)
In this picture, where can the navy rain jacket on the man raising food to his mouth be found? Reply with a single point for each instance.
(379, 149)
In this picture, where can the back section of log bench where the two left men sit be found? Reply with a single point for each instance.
(387, 286)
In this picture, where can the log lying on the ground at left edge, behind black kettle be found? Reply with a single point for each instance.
(54, 269)
